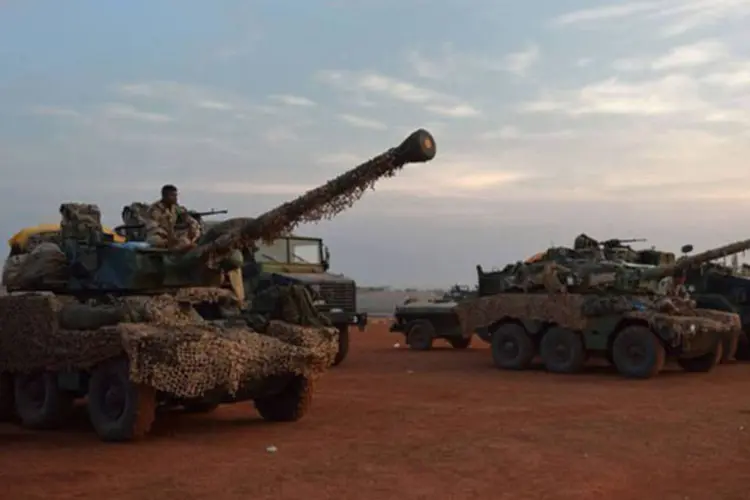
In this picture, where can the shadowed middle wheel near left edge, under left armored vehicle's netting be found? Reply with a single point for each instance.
(39, 401)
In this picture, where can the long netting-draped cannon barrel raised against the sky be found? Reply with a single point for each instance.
(319, 203)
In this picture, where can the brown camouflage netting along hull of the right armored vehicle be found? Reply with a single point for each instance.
(574, 311)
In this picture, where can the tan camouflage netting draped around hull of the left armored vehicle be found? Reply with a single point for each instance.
(170, 347)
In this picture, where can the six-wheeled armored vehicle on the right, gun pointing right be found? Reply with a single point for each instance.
(565, 308)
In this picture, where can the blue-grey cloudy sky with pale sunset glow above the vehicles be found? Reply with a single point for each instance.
(621, 119)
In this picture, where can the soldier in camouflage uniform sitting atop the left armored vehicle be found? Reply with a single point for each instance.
(161, 223)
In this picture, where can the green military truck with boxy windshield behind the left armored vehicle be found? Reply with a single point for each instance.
(305, 260)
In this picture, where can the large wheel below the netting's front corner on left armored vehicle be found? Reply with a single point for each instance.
(118, 409)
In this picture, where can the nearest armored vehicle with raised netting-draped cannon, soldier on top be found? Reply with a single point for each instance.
(132, 328)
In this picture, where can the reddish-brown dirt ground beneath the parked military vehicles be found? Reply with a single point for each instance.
(389, 423)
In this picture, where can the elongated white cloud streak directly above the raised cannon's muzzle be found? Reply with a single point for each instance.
(372, 83)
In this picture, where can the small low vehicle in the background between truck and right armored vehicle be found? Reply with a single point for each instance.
(421, 322)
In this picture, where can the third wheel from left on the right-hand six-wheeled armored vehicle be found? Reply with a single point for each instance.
(638, 353)
